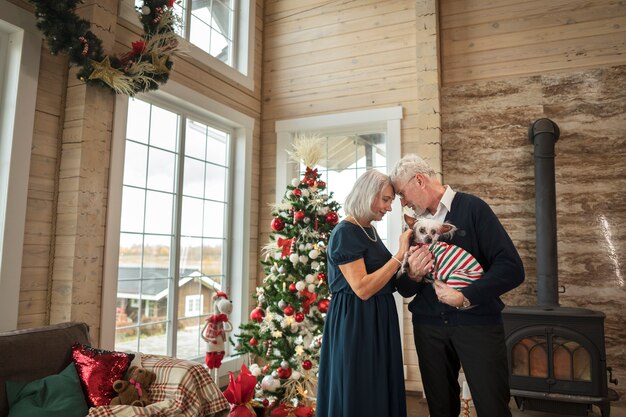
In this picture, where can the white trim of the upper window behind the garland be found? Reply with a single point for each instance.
(245, 50)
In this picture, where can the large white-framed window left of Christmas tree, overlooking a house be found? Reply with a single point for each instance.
(173, 241)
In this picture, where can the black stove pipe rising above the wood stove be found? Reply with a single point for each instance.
(543, 133)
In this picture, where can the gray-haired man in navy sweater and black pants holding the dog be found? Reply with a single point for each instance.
(454, 328)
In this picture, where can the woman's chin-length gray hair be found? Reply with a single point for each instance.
(365, 190)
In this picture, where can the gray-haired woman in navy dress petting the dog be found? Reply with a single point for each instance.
(361, 370)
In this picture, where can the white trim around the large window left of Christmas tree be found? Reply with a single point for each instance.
(239, 268)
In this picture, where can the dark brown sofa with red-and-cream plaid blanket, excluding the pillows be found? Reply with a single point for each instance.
(183, 388)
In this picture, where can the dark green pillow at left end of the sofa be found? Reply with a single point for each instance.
(58, 395)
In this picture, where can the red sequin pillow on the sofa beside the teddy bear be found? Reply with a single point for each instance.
(98, 369)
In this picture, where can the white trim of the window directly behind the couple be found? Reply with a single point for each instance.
(388, 118)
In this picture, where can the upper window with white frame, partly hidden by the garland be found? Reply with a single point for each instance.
(218, 33)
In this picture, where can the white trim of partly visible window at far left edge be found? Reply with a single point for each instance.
(20, 49)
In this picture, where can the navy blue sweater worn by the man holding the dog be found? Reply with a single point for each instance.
(481, 234)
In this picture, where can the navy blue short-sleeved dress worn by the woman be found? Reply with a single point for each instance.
(360, 371)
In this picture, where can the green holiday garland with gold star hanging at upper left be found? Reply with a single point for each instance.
(143, 68)
